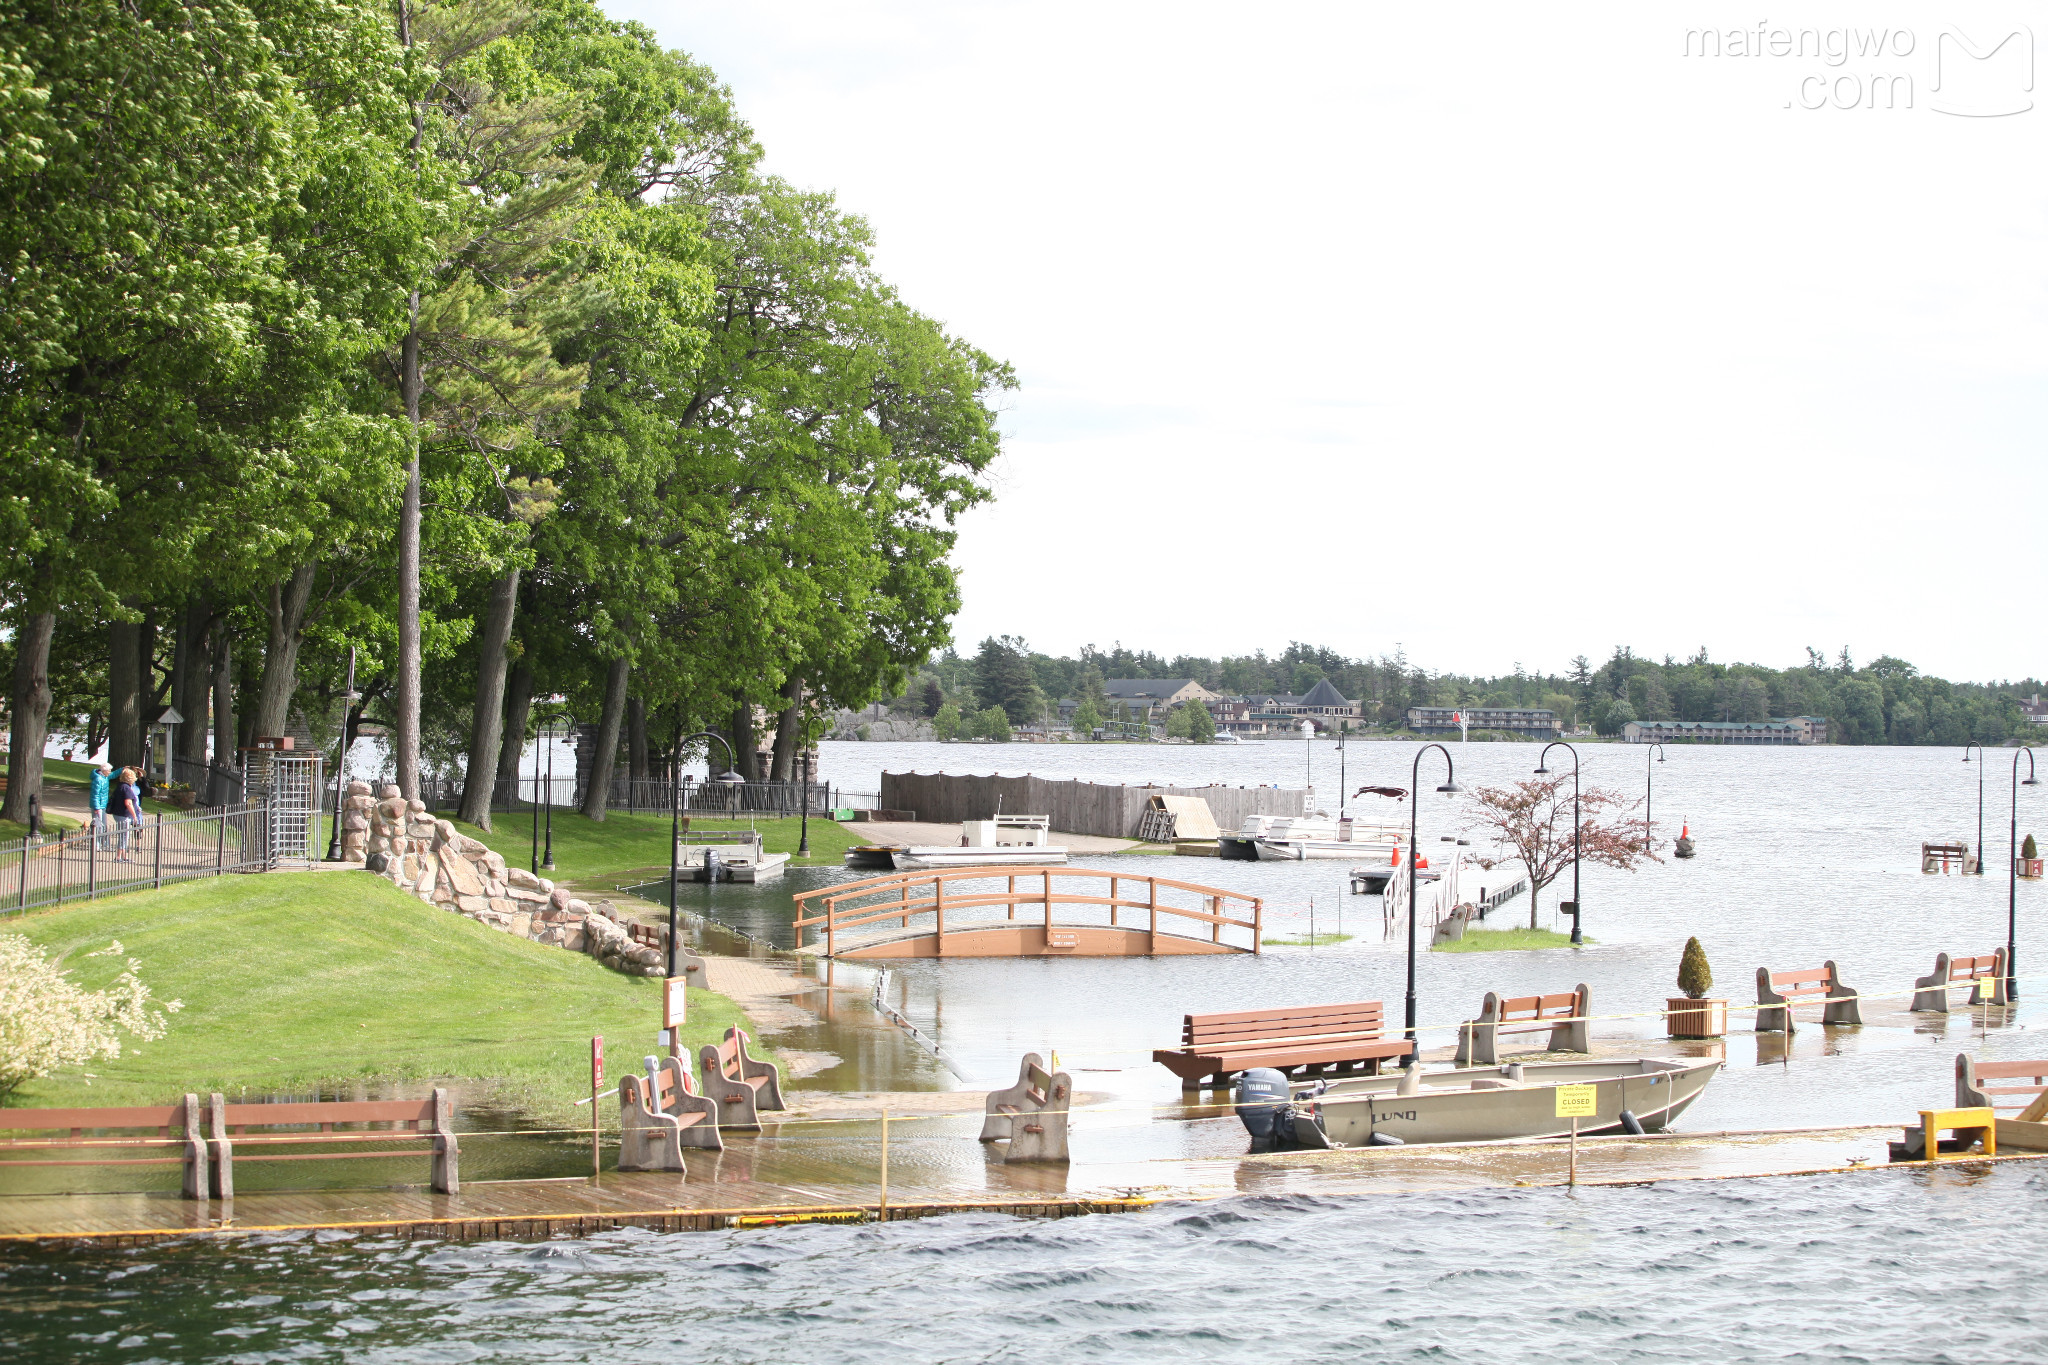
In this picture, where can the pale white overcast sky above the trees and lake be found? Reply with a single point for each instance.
(1498, 333)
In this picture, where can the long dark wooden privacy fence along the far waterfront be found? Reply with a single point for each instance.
(1074, 807)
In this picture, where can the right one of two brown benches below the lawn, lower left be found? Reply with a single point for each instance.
(417, 1118)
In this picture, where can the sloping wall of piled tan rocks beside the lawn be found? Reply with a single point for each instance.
(447, 869)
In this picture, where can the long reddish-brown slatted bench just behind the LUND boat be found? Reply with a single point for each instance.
(1306, 1039)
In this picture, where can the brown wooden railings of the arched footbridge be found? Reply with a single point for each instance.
(833, 910)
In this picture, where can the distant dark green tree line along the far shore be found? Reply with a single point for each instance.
(1881, 703)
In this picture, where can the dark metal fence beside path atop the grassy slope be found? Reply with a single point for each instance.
(153, 852)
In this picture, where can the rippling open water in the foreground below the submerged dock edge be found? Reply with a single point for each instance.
(1906, 1268)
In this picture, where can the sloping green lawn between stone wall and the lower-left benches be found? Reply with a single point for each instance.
(314, 979)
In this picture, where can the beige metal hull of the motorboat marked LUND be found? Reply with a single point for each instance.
(1490, 1104)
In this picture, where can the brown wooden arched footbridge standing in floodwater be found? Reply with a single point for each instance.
(1046, 914)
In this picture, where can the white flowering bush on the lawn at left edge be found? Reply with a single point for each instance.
(50, 1022)
